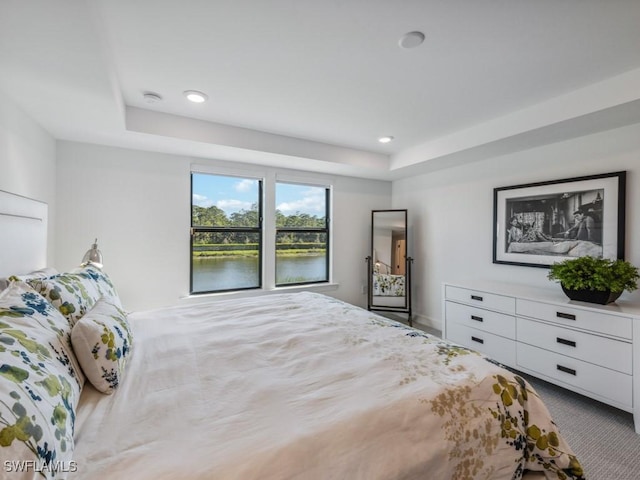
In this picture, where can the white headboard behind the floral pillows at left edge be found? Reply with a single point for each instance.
(23, 234)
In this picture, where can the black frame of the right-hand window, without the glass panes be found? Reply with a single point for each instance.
(326, 230)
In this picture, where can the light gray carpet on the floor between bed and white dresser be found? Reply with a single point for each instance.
(602, 437)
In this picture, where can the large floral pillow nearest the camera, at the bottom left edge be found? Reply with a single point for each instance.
(40, 384)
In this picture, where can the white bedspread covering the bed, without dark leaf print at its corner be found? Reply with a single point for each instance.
(294, 386)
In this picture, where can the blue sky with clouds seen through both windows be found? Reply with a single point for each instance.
(233, 194)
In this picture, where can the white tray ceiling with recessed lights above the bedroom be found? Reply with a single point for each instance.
(312, 84)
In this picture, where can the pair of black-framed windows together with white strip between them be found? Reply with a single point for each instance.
(254, 233)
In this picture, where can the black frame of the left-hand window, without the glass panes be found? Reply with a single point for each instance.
(259, 229)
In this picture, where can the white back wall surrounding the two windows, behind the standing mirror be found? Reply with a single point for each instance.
(137, 204)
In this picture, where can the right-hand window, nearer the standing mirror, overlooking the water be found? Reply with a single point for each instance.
(302, 234)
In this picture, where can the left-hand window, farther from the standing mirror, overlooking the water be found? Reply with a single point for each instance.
(226, 233)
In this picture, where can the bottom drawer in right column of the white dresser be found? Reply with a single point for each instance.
(605, 383)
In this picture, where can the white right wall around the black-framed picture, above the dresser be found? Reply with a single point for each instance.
(451, 211)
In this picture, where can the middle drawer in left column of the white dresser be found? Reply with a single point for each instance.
(485, 320)
